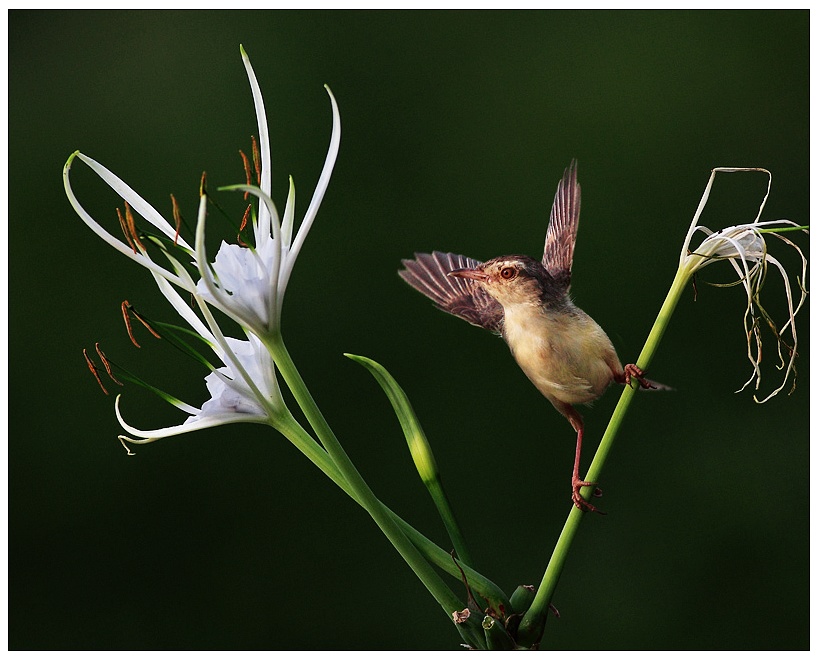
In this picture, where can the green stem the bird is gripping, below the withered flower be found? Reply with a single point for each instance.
(533, 622)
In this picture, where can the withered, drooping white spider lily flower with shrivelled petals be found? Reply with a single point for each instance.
(745, 247)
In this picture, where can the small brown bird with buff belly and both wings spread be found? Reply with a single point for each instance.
(561, 349)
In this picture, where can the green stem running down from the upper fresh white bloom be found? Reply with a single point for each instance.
(355, 482)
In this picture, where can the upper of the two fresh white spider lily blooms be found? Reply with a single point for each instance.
(246, 283)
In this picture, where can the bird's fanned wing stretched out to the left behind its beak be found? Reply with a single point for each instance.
(429, 274)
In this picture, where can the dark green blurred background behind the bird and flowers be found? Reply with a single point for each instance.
(456, 128)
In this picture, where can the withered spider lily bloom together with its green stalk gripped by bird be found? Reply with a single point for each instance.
(744, 247)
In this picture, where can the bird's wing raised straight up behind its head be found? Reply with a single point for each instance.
(562, 228)
